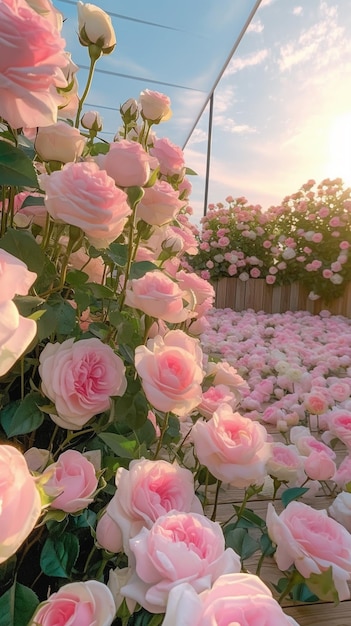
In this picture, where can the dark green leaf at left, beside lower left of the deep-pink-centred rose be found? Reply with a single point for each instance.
(28, 416)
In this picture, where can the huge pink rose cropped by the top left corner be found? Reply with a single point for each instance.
(30, 67)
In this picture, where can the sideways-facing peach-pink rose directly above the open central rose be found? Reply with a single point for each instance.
(159, 296)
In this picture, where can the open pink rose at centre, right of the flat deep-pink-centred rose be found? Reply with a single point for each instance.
(170, 369)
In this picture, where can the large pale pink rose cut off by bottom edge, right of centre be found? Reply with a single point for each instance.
(233, 599)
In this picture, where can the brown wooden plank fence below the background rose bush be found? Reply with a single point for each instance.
(257, 295)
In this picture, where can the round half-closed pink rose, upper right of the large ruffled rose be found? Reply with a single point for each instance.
(127, 163)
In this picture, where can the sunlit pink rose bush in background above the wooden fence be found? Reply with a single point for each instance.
(305, 239)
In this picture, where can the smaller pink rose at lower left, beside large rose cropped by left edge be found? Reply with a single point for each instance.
(73, 478)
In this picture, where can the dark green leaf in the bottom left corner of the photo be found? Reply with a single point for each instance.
(17, 606)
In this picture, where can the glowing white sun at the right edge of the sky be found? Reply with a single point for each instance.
(340, 148)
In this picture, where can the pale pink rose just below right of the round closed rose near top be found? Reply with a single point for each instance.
(160, 204)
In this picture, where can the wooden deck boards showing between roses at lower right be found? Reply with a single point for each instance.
(315, 614)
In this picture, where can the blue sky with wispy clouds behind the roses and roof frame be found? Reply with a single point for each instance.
(282, 110)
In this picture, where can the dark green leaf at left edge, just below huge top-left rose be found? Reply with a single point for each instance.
(16, 169)
